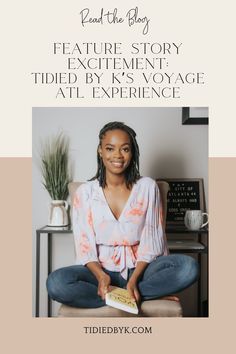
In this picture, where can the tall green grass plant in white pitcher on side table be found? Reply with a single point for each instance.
(56, 175)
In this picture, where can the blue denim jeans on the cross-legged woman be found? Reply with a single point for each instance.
(76, 285)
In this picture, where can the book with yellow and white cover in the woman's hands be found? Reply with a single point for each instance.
(120, 299)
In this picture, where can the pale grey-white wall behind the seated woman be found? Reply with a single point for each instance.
(167, 149)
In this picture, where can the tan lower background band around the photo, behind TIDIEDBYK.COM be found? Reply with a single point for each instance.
(23, 333)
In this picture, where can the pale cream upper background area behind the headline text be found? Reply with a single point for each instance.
(28, 29)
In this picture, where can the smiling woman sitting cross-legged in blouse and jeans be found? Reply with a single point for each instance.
(118, 232)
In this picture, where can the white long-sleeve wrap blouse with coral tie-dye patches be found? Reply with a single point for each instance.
(118, 244)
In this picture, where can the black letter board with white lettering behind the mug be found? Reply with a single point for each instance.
(184, 194)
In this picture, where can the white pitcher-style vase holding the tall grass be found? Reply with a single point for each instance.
(58, 213)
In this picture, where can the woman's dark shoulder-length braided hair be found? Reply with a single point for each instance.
(132, 172)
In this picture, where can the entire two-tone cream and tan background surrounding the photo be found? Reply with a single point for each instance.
(27, 29)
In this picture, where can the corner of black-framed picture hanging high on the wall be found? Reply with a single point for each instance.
(194, 115)
